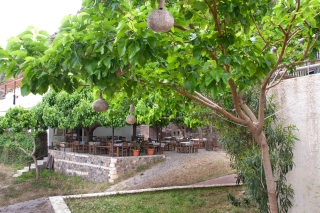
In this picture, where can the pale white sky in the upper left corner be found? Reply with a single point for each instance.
(17, 15)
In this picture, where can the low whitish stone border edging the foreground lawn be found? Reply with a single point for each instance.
(59, 206)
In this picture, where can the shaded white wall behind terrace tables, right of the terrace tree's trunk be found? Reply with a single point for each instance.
(125, 131)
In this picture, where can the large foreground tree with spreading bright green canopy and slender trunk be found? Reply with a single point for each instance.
(215, 49)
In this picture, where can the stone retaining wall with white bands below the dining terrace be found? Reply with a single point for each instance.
(97, 168)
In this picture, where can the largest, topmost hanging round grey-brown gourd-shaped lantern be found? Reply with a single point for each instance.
(160, 20)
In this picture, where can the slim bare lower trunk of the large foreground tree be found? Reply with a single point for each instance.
(271, 185)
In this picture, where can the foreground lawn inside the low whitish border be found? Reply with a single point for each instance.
(182, 200)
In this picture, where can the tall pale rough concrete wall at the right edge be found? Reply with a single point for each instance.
(299, 104)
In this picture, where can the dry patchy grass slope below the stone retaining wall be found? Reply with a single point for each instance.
(51, 183)
